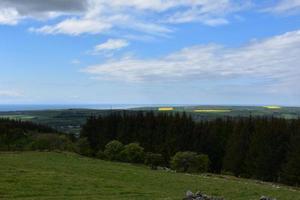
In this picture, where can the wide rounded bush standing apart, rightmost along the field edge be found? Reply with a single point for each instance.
(190, 162)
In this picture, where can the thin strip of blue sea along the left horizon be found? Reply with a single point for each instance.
(27, 107)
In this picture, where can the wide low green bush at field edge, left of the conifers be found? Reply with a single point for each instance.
(51, 142)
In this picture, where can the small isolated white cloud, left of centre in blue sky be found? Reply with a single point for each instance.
(111, 44)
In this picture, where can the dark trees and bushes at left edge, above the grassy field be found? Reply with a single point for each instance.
(17, 135)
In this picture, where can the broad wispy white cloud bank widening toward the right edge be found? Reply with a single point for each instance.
(273, 60)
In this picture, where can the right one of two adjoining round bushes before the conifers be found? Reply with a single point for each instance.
(133, 153)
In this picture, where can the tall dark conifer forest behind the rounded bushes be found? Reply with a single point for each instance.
(264, 148)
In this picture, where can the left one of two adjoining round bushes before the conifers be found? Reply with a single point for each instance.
(113, 150)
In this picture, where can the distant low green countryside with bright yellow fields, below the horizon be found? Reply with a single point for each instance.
(70, 120)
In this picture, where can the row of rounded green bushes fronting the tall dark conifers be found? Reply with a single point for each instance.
(188, 162)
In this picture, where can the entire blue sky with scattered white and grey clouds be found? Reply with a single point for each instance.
(233, 52)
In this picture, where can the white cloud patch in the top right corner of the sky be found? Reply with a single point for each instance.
(285, 6)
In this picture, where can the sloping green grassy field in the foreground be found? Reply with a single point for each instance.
(43, 176)
